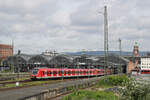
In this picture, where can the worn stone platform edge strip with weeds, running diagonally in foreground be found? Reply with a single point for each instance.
(62, 90)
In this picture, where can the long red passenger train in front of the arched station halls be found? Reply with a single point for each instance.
(43, 73)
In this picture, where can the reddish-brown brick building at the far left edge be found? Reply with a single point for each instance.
(5, 51)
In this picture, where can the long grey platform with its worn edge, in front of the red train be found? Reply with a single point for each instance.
(61, 87)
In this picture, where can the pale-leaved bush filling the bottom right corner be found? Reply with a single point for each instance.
(135, 91)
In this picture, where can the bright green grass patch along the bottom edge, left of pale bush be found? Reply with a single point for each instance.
(91, 95)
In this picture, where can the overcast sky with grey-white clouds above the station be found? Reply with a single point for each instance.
(74, 25)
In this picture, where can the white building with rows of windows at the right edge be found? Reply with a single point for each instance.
(145, 63)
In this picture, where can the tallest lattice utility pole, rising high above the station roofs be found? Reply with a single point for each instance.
(105, 39)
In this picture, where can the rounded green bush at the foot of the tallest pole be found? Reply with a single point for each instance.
(115, 80)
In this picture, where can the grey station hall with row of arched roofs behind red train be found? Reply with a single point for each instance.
(25, 62)
